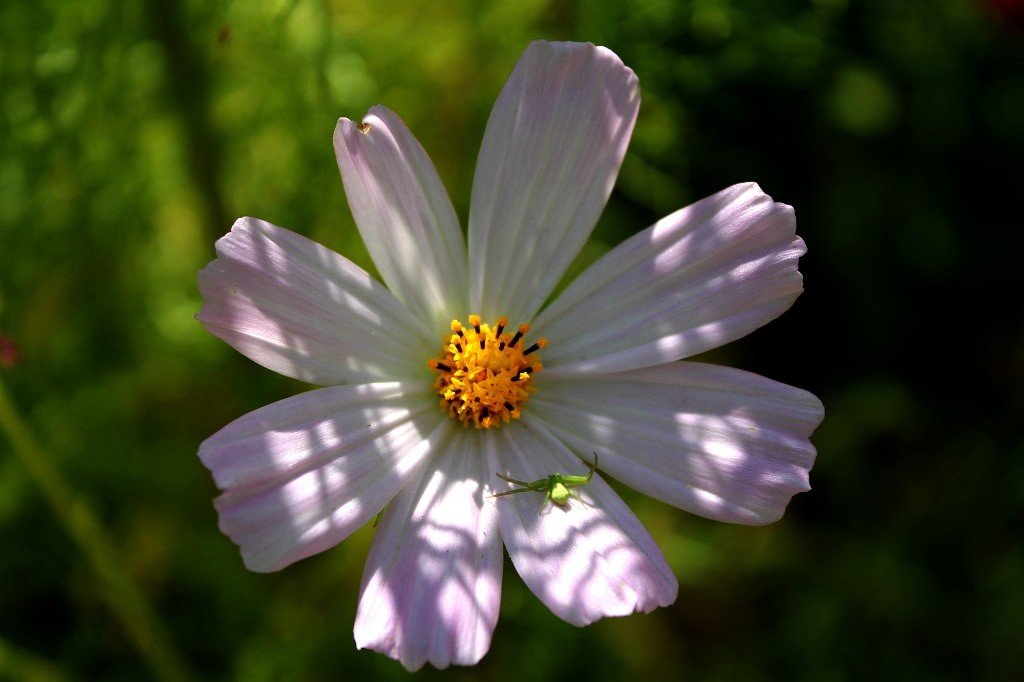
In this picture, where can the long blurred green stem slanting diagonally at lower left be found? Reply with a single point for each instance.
(121, 593)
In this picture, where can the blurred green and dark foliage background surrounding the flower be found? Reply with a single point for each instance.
(137, 133)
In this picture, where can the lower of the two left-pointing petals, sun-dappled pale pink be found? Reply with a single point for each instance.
(302, 475)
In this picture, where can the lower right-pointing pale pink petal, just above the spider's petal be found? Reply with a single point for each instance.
(720, 443)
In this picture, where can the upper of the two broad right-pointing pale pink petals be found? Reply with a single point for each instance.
(701, 278)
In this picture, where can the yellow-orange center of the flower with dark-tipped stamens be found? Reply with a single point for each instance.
(485, 375)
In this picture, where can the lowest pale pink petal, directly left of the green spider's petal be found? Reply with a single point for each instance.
(433, 584)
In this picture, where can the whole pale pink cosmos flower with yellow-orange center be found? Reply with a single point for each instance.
(458, 371)
